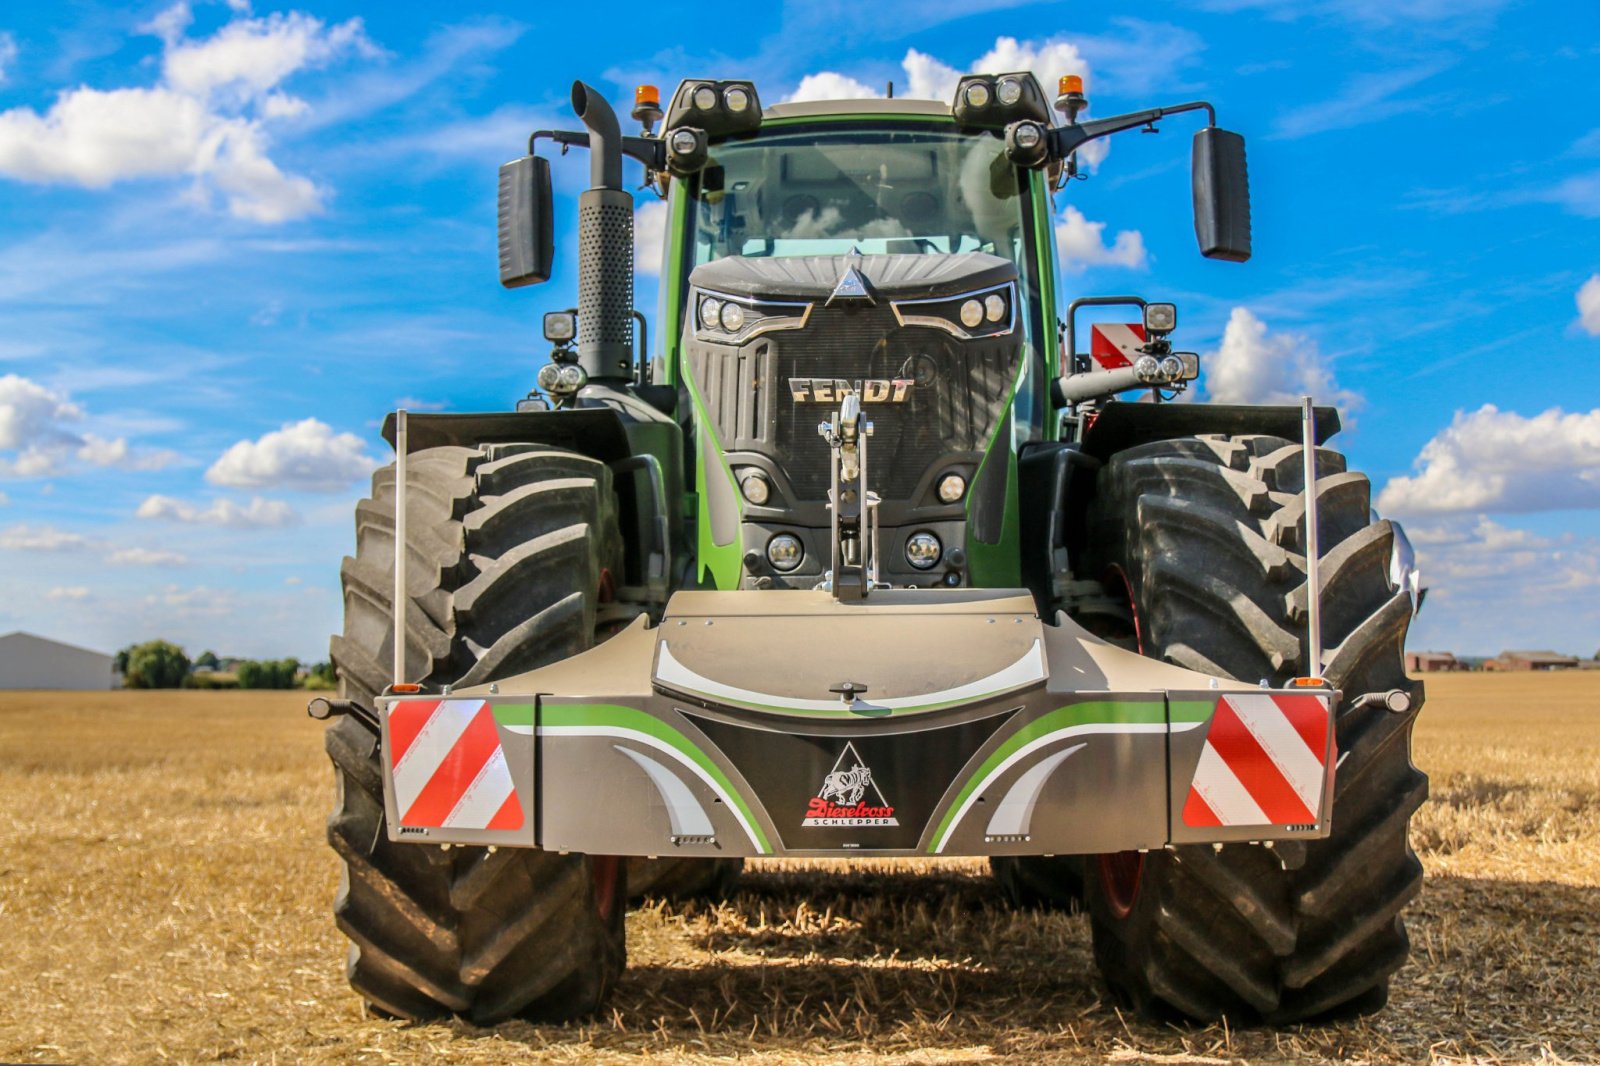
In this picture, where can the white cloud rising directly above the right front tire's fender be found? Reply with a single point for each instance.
(1260, 367)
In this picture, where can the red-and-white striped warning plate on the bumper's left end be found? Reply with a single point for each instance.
(449, 766)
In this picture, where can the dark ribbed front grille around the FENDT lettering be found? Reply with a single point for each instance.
(958, 399)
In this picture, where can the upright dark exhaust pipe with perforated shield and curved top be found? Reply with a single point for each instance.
(606, 247)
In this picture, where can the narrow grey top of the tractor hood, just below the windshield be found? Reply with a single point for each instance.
(889, 276)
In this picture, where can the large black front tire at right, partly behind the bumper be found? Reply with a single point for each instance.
(1207, 539)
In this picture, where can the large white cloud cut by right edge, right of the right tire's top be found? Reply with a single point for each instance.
(1502, 462)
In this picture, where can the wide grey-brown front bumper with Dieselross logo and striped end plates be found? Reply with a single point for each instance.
(982, 732)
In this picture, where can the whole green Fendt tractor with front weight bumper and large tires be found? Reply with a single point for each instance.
(868, 559)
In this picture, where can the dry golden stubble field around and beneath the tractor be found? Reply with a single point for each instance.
(166, 889)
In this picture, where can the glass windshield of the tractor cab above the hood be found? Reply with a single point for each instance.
(876, 191)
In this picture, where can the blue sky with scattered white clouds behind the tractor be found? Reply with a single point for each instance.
(233, 236)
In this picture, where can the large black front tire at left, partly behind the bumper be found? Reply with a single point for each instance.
(511, 551)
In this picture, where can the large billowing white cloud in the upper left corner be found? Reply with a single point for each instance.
(207, 118)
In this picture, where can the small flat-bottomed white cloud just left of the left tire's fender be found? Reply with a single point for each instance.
(305, 455)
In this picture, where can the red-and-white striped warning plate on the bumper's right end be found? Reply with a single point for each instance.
(1263, 764)
